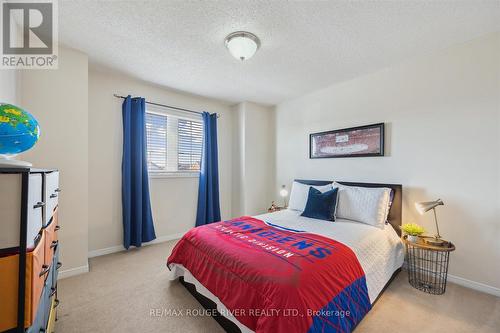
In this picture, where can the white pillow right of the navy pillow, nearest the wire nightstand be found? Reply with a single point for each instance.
(363, 204)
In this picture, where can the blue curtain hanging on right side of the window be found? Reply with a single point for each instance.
(208, 191)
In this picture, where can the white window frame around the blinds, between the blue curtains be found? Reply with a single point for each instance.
(172, 113)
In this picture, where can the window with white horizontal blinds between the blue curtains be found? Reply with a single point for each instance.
(174, 142)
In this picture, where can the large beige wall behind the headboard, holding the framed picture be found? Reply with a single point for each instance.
(442, 113)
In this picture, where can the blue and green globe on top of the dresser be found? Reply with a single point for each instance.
(19, 130)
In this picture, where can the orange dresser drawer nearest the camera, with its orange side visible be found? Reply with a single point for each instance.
(36, 275)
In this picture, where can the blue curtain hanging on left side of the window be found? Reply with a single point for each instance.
(137, 218)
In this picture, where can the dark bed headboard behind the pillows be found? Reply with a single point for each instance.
(395, 214)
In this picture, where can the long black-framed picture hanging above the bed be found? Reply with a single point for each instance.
(361, 141)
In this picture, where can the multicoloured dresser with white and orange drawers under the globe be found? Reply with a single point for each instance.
(29, 249)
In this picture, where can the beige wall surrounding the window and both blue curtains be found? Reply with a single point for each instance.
(174, 200)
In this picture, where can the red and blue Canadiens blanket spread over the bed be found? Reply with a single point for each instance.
(275, 279)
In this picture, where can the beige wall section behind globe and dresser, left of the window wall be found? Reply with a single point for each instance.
(58, 99)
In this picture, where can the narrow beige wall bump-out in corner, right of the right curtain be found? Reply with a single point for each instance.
(253, 158)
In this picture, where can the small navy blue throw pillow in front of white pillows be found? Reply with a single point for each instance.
(321, 205)
